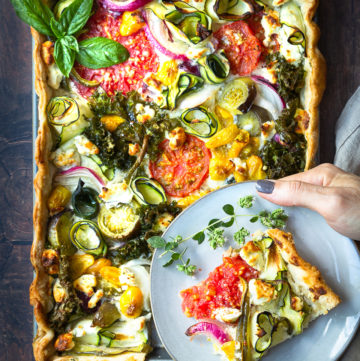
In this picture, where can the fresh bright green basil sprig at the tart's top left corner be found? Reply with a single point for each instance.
(94, 53)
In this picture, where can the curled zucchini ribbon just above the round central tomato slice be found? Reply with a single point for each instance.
(199, 122)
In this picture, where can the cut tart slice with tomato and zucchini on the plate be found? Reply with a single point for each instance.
(261, 295)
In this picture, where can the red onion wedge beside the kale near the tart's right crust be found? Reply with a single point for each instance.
(268, 97)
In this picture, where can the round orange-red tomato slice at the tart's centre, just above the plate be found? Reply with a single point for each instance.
(183, 170)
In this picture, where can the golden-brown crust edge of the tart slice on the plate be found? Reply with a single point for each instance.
(306, 277)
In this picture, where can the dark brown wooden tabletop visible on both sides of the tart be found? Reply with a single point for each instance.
(339, 21)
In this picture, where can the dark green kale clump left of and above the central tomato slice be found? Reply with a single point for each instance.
(114, 146)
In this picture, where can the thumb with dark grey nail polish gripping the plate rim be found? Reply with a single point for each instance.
(295, 193)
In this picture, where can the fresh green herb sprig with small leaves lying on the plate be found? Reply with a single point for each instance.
(214, 233)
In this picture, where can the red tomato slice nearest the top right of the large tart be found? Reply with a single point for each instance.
(241, 46)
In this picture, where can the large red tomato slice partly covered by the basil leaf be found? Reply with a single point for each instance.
(121, 77)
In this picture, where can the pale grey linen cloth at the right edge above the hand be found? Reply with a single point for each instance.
(347, 132)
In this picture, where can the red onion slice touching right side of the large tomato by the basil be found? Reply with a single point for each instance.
(161, 38)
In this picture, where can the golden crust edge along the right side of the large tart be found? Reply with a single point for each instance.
(315, 80)
